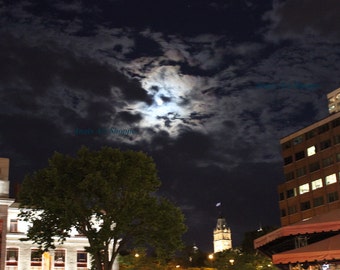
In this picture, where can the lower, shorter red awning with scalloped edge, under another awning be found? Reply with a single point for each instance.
(325, 250)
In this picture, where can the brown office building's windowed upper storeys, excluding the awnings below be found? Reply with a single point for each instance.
(311, 168)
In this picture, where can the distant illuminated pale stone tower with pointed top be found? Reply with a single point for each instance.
(222, 236)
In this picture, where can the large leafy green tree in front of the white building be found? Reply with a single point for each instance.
(109, 196)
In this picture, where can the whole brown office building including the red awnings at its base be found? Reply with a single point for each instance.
(309, 198)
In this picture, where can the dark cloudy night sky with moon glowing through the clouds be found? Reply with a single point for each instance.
(206, 87)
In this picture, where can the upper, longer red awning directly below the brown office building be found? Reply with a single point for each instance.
(322, 223)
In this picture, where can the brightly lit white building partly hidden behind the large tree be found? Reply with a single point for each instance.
(23, 255)
